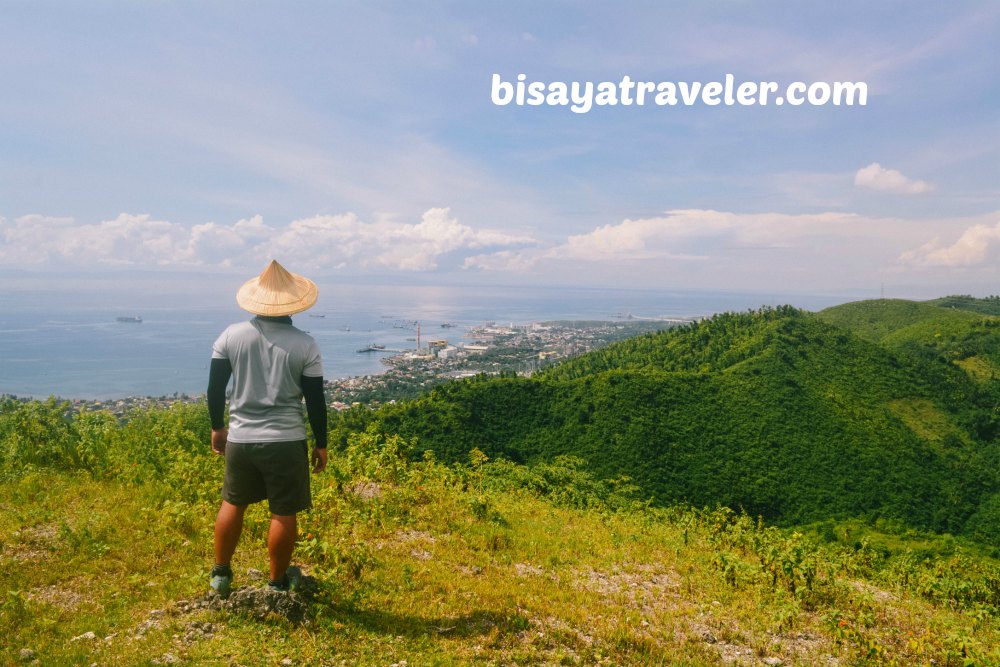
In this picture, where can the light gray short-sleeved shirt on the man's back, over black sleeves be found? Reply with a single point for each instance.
(268, 360)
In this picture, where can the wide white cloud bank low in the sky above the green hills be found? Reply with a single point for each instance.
(702, 249)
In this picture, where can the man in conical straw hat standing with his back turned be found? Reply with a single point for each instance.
(273, 366)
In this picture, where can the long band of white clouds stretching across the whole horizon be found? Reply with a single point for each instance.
(689, 248)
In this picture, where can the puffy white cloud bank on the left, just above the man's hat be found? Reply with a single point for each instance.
(318, 242)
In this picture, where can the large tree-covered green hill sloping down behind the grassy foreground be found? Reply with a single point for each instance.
(778, 412)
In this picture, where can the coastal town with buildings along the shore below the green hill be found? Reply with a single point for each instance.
(489, 348)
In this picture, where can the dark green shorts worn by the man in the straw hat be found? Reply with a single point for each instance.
(278, 471)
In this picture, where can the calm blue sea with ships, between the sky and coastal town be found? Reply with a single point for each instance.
(69, 342)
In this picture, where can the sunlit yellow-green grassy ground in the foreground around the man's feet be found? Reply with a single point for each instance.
(480, 563)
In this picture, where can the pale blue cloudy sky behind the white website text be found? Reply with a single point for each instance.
(361, 141)
